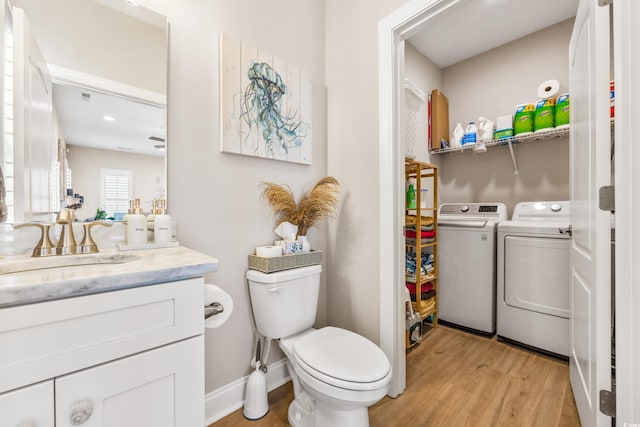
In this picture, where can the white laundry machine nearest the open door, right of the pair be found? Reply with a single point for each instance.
(533, 277)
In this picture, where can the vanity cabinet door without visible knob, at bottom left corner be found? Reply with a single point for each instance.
(30, 406)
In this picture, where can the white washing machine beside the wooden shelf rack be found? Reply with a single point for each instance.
(467, 265)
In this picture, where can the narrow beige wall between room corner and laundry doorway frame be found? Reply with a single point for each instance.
(353, 157)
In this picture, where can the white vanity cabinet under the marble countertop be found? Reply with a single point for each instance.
(126, 358)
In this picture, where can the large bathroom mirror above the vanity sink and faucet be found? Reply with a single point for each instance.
(104, 77)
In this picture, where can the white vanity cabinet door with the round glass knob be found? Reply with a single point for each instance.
(158, 388)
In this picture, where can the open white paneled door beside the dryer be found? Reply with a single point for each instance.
(590, 353)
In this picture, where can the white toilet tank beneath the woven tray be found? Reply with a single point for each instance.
(284, 303)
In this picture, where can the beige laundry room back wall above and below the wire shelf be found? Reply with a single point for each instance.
(493, 84)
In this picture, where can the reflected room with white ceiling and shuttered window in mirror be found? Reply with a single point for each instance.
(112, 146)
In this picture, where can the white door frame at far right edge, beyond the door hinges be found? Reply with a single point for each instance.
(627, 180)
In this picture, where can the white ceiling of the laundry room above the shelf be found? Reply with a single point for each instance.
(481, 25)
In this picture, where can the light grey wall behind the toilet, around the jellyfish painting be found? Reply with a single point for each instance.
(214, 196)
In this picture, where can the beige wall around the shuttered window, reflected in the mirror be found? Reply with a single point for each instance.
(85, 164)
